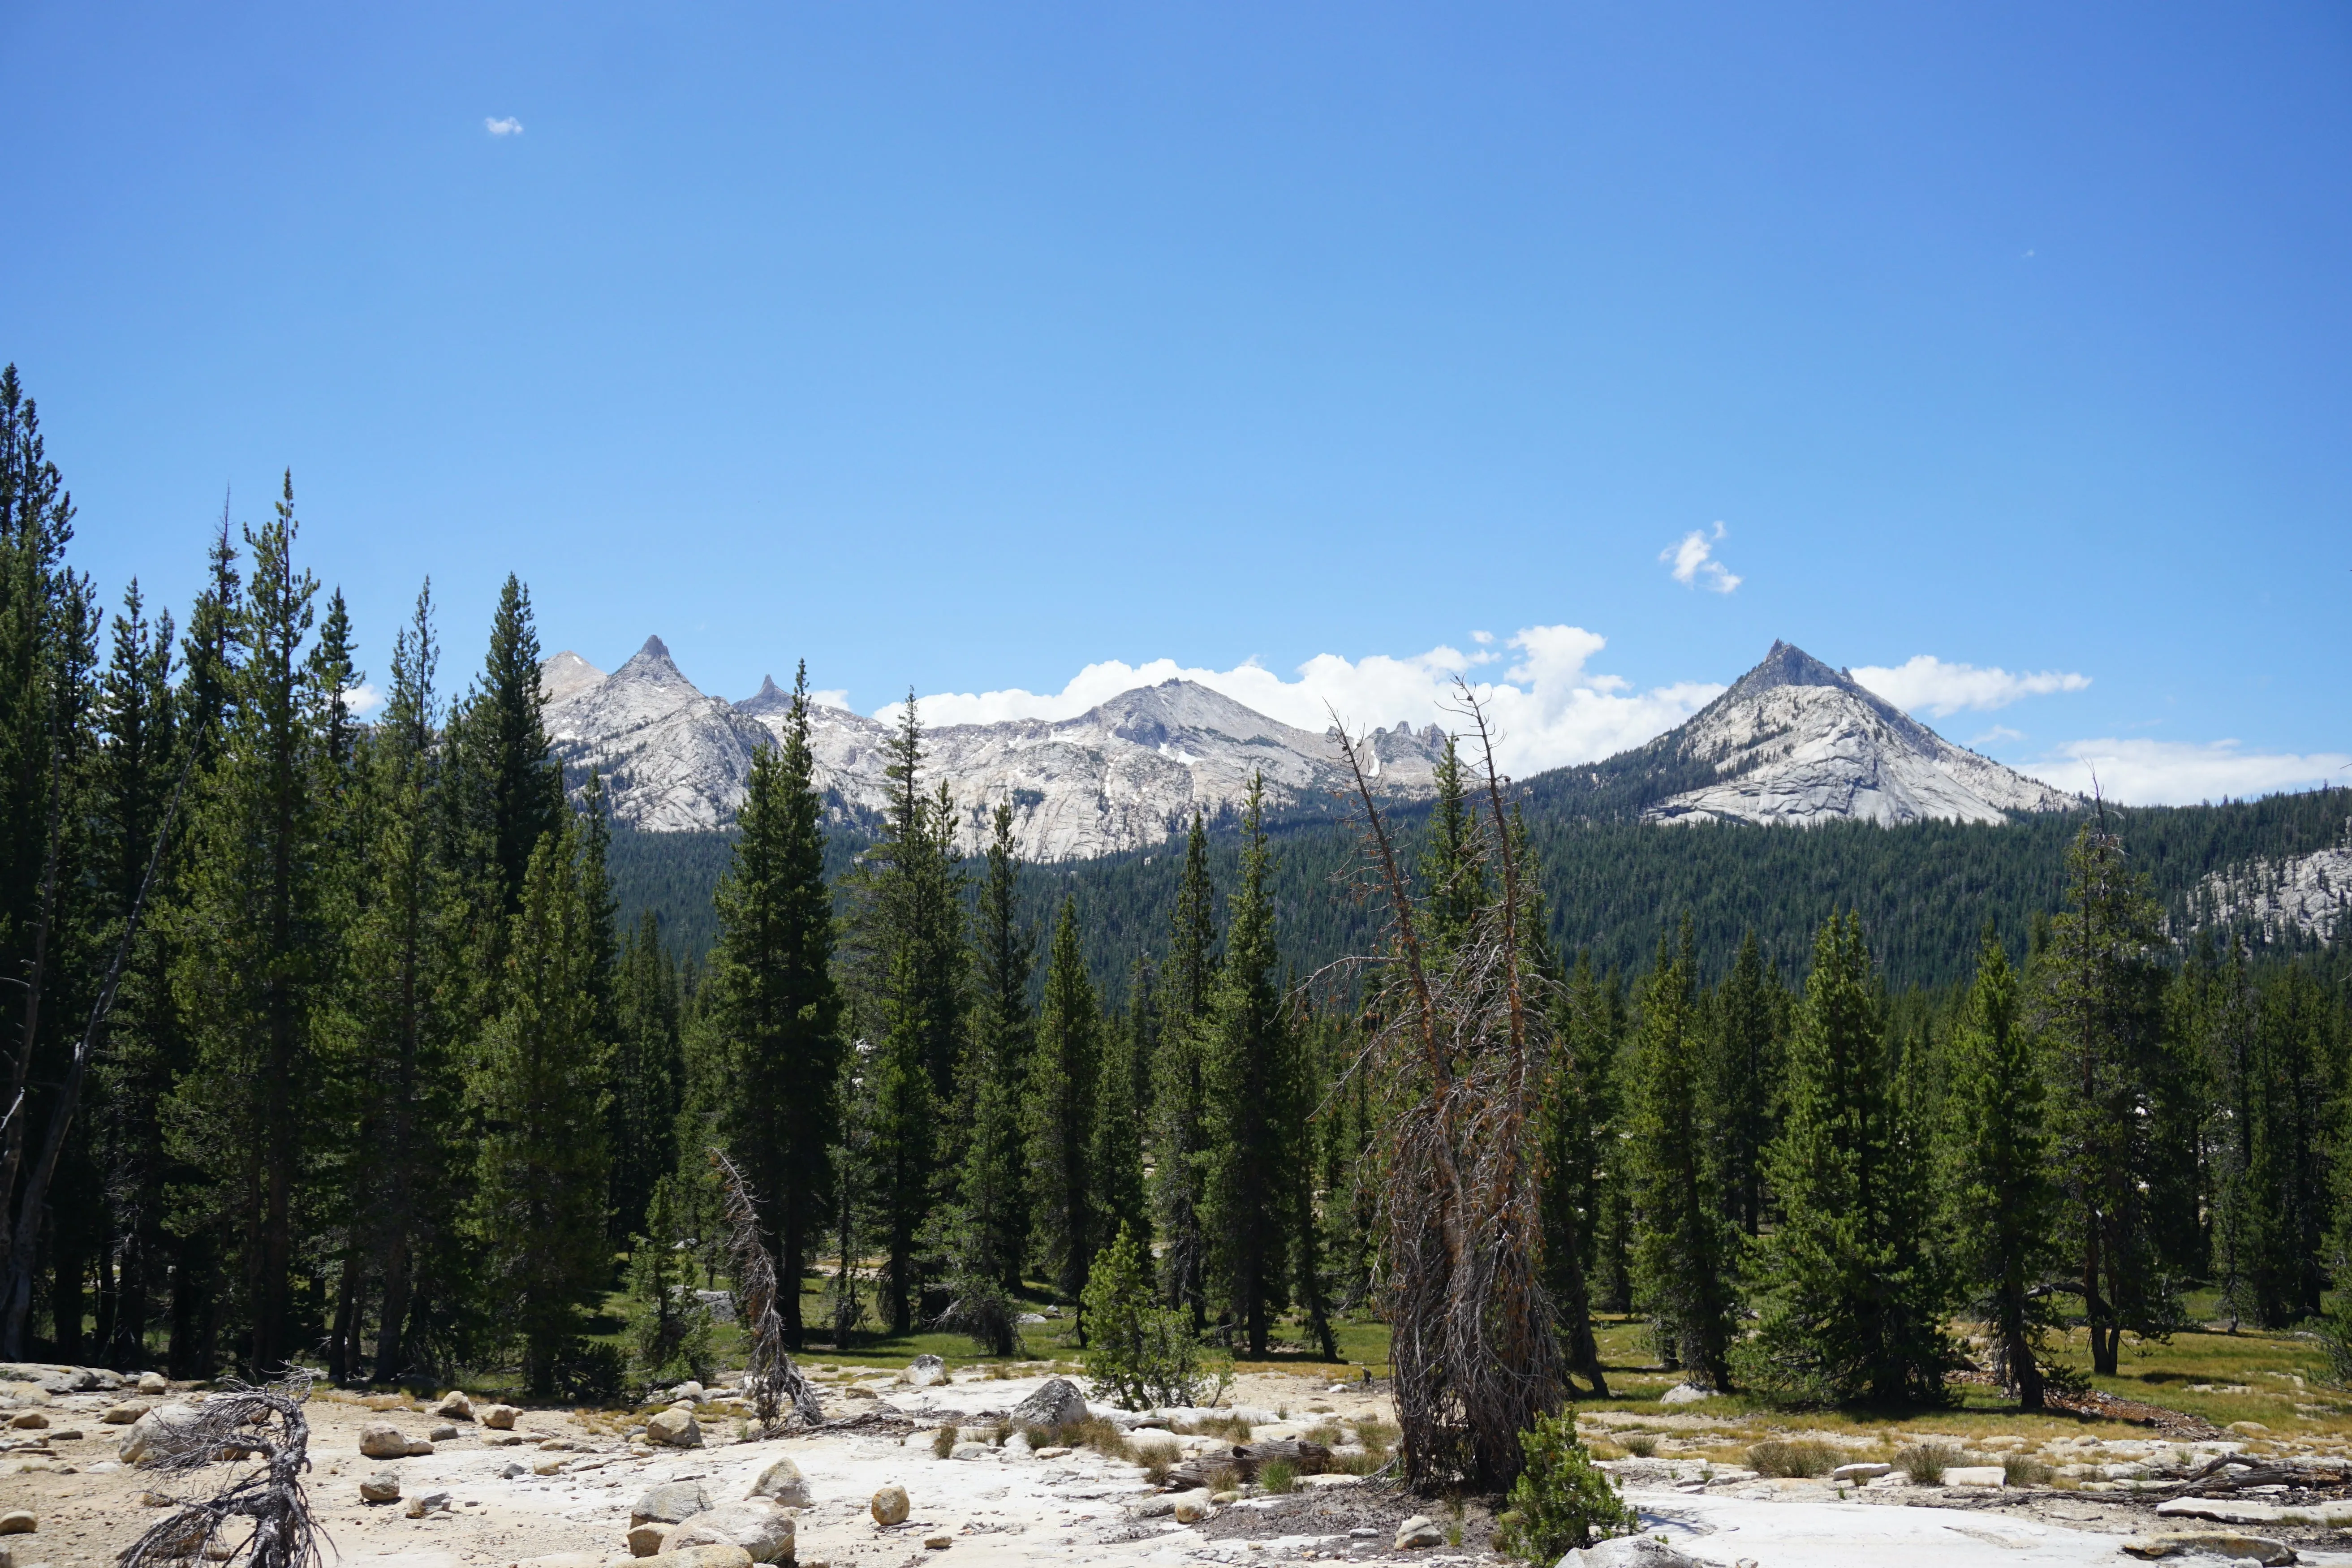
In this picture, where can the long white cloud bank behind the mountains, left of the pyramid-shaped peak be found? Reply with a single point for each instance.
(1549, 709)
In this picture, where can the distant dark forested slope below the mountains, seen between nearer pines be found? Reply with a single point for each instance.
(1615, 885)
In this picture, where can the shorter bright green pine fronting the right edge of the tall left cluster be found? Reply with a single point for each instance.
(540, 1097)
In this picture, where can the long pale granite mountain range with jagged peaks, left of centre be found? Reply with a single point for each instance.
(1118, 777)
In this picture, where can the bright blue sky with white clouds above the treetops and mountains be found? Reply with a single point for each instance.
(968, 349)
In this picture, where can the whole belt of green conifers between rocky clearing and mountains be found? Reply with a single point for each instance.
(366, 1045)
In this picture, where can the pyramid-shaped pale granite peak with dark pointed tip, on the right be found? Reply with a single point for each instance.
(1798, 742)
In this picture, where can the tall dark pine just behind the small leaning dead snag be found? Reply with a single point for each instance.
(777, 1005)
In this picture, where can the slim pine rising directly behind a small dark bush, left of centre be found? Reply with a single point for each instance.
(994, 1181)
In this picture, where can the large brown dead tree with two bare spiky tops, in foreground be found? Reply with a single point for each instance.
(1459, 1054)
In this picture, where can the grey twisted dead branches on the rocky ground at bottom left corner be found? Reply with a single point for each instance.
(239, 1426)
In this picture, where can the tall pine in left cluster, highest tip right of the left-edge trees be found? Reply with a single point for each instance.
(255, 946)
